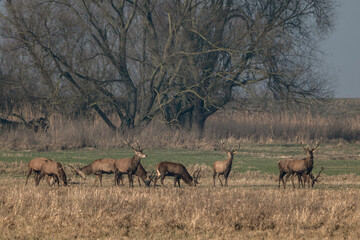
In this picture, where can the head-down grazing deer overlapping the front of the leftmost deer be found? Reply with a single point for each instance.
(52, 169)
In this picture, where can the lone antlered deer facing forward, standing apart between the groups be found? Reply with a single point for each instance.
(224, 167)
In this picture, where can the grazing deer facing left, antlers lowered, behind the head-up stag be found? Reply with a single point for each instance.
(98, 168)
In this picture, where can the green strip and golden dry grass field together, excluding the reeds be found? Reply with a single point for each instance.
(251, 207)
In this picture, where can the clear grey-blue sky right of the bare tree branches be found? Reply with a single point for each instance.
(342, 49)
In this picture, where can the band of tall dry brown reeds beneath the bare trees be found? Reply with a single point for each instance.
(331, 122)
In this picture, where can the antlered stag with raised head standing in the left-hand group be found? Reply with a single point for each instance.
(129, 166)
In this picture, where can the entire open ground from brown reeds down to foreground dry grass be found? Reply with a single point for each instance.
(251, 207)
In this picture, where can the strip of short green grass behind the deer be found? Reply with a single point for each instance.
(336, 159)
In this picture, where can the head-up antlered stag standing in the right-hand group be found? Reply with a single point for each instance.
(290, 167)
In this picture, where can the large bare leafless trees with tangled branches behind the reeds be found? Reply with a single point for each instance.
(178, 61)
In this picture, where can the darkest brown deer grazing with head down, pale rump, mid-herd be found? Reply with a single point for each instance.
(176, 170)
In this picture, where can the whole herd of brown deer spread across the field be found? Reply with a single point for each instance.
(54, 171)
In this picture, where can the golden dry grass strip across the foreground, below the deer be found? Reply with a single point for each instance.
(251, 207)
